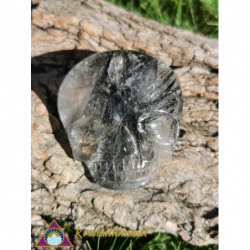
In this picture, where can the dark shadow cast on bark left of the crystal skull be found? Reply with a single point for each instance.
(47, 72)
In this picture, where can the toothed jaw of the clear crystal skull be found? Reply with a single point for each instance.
(124, 173)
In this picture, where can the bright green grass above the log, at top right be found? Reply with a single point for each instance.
(199, 16)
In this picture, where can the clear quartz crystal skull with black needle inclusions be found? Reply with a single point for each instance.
(121, 111)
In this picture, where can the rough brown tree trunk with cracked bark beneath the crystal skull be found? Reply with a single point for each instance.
(183, 199)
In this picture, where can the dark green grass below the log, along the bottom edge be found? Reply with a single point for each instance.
(157, 241)
